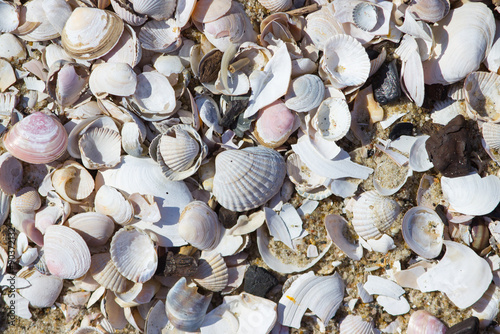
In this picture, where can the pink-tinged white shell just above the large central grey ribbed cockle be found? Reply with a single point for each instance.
(274, 124)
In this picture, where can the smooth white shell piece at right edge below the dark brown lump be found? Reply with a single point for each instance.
(471, 194)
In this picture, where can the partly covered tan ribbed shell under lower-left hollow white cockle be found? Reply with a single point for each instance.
(105, 273)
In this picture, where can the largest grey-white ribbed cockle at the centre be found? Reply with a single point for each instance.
(245, 179)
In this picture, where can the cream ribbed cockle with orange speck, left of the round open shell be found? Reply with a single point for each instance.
(373, 214)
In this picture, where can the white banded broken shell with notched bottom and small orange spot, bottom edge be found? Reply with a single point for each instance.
(321, 294)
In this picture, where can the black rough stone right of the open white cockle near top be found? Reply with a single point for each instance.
(385, 83)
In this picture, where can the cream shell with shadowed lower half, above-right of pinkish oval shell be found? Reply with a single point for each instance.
(95, 228)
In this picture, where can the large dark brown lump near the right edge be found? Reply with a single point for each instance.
(449, 149)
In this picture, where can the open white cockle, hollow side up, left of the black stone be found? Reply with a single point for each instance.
(345, 61)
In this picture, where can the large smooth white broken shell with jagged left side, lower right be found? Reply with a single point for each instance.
(462, 287)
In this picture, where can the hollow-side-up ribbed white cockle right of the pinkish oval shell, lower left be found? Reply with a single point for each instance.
(134, 254)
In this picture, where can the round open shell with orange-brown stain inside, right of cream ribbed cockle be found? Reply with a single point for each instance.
(423, 231)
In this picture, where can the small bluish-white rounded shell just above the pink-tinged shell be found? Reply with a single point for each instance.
(305, 93)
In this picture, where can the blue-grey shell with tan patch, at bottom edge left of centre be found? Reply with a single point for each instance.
(185, 307)
